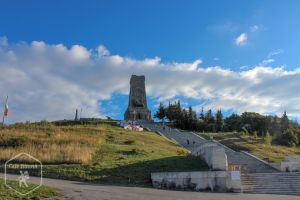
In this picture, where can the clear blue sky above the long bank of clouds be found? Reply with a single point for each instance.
(180, 31)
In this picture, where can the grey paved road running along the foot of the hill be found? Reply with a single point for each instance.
(80, 190)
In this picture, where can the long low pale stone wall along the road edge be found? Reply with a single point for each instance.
(216, 181)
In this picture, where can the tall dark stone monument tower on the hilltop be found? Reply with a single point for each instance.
(137, 105)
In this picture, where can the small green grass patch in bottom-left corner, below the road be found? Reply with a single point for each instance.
(42, 192)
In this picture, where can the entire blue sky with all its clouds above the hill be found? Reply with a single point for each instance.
(58, 56)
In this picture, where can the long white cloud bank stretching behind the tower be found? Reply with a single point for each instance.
(46, 81)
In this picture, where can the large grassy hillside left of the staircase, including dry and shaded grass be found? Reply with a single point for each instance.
(102, 152)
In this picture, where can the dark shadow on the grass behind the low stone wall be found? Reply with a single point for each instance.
(140, 173)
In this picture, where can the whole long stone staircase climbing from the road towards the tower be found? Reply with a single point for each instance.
(257, 176)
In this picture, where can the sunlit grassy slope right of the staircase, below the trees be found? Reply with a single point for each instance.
(254, 145)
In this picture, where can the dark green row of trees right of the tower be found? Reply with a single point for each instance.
(275, 129)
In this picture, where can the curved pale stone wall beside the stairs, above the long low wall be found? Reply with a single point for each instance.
(213, 154)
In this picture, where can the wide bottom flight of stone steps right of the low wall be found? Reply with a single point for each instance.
(271, 183)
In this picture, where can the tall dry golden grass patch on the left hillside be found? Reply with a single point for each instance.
(50, 143)
